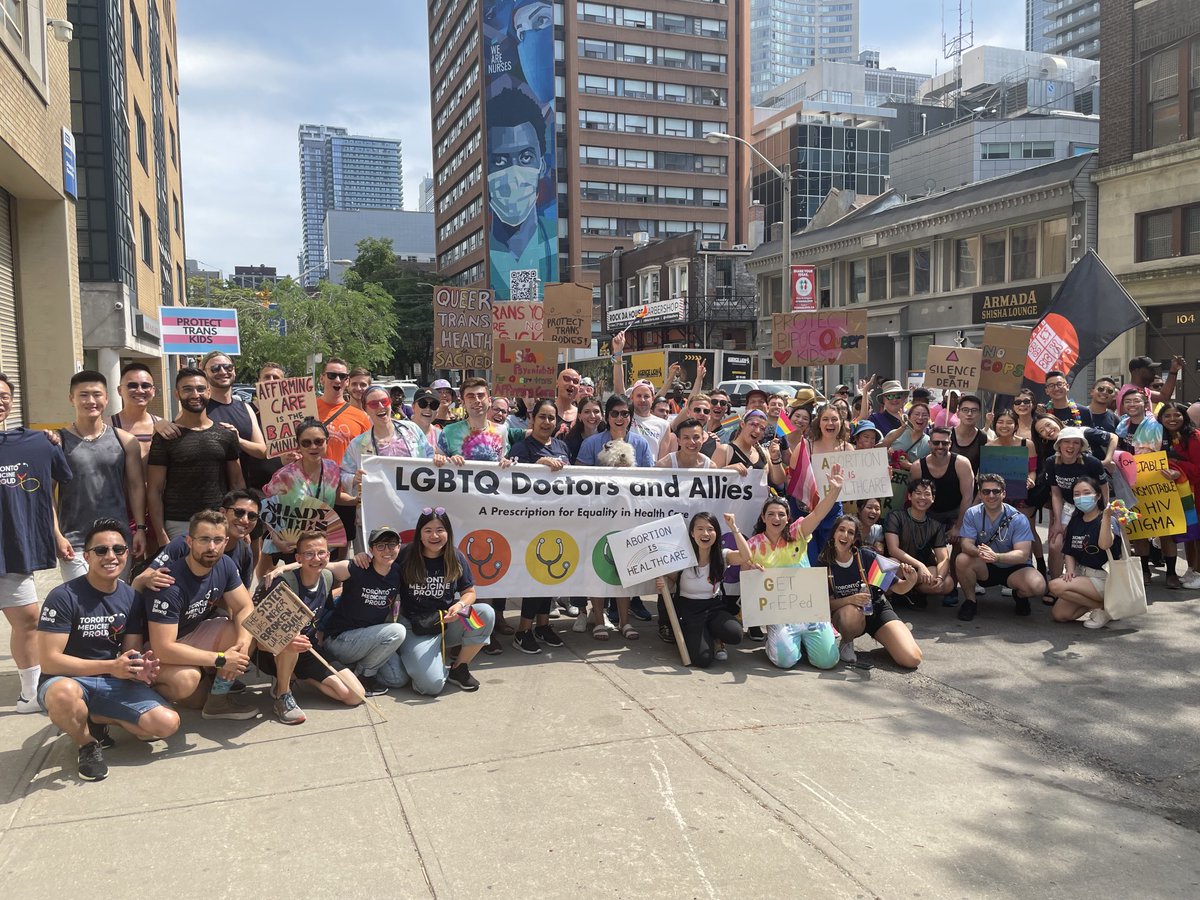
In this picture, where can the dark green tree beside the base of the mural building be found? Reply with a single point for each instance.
(412, 297)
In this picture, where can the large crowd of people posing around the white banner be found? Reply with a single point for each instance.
(157, 527)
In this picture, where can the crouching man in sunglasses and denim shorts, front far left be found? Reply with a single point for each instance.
(89, 640)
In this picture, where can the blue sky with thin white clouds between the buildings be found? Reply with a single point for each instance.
(251, 73)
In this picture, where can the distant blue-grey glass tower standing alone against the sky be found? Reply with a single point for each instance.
(343, 171)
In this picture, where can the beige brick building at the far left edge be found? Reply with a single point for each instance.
(41, 332)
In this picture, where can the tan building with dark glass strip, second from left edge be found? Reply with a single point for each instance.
(130, 217)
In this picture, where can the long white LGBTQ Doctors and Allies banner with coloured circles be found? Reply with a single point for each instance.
(530, 532)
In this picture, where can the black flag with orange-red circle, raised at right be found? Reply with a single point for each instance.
(1089, 313)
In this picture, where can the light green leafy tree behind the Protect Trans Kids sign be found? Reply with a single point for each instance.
(284, 325)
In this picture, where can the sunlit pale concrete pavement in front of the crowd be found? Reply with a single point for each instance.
(1025, 759)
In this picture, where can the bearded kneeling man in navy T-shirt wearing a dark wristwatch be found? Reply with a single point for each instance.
(184, 632)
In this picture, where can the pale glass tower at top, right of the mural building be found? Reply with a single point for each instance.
(789, 37)
